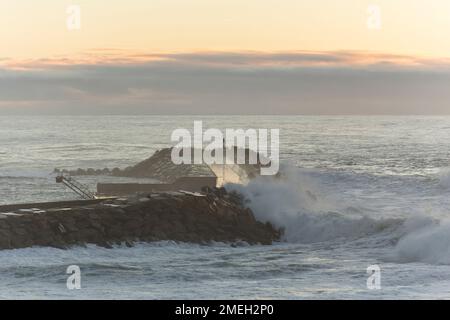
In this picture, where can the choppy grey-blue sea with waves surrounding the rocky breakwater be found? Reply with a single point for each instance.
(358, 191)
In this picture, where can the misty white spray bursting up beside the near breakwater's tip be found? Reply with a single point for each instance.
(295, 203)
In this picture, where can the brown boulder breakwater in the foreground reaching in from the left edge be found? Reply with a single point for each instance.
(214, 215)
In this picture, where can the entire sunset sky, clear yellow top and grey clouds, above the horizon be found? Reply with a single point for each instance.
(225, 57)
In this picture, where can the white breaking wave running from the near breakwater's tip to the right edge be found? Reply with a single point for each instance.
(294, 203)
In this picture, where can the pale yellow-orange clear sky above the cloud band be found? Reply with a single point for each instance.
(37, 30)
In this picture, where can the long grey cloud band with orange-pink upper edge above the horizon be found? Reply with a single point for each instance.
(114, 82)
